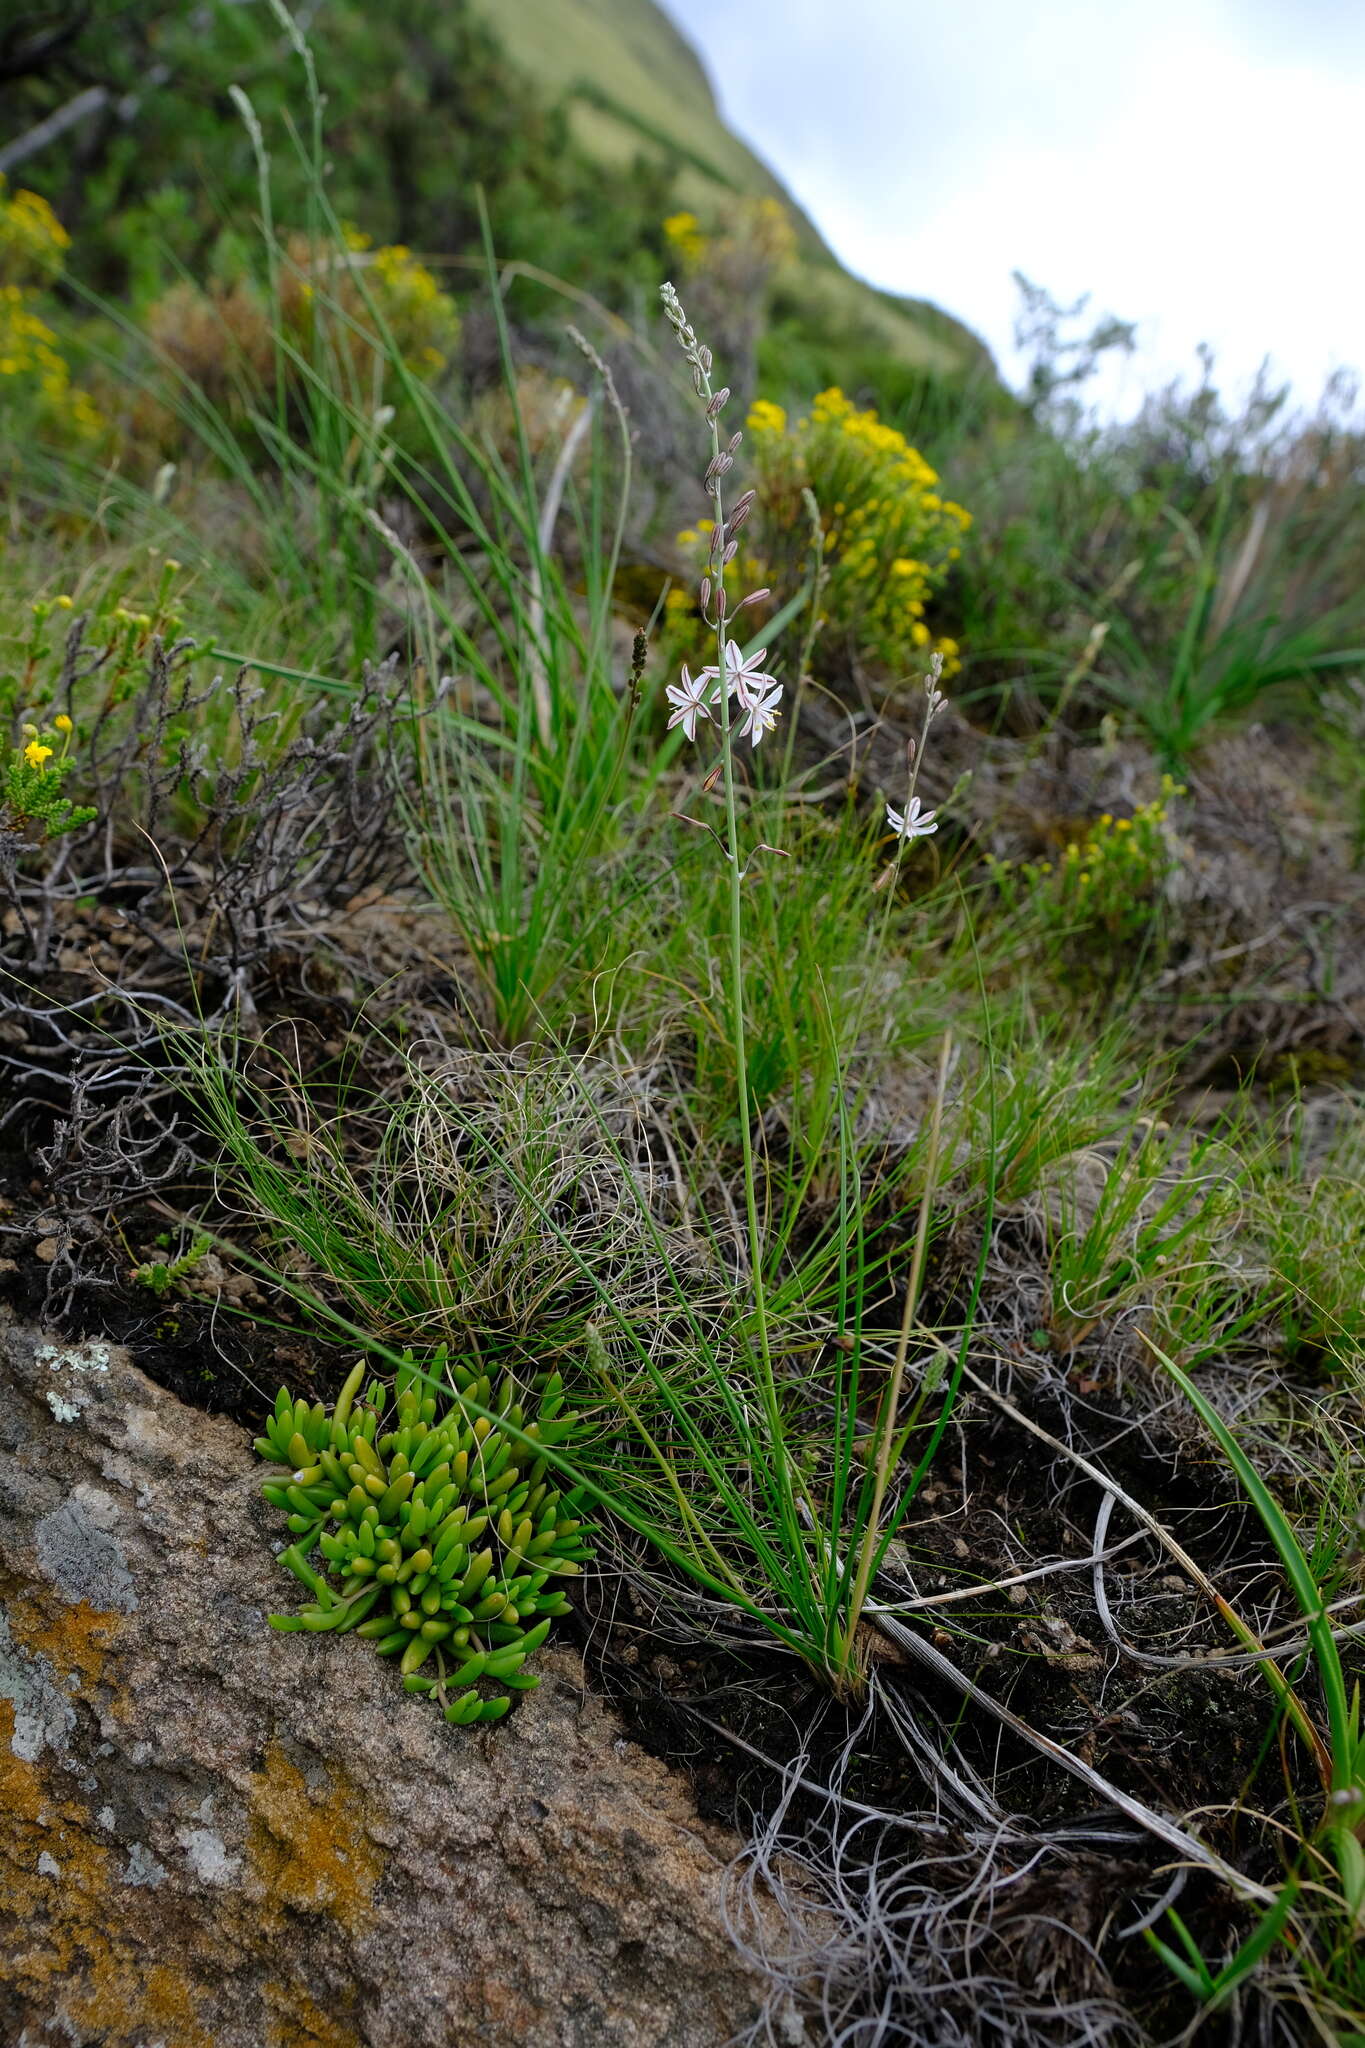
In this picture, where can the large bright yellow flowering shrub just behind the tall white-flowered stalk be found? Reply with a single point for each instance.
(889, 536)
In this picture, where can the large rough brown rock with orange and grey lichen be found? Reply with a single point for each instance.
(214, 1836)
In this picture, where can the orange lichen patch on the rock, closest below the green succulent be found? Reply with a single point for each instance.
(310, 1852)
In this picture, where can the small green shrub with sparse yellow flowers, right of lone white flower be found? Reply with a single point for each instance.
(1104, 886)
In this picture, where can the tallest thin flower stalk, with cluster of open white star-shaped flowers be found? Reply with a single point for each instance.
(734, 685)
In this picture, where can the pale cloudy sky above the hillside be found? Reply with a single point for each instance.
(1194, 165)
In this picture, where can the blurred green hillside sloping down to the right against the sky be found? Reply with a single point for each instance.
(586, 124)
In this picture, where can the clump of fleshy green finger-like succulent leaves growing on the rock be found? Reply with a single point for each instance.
(441, 1537)
